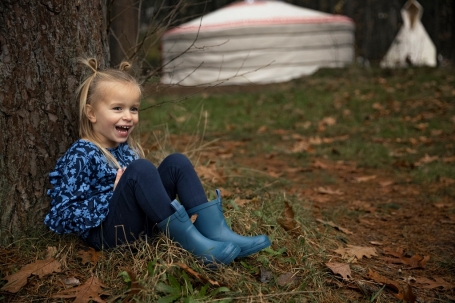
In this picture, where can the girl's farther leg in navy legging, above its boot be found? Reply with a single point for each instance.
(180, 179)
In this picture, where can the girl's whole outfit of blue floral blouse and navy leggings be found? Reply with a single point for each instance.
(84, 202)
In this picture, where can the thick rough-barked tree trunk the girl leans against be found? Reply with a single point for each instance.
(39, 42)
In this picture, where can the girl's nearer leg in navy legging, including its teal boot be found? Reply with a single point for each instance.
(140, 203)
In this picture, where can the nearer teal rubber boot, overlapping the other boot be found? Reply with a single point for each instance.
(179, 228)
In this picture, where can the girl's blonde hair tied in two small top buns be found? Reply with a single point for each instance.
(88, 93)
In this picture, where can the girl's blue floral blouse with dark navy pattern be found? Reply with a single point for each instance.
(83, 183)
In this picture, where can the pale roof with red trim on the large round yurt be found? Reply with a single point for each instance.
(257, 13)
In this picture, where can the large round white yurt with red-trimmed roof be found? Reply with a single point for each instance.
(255, 43)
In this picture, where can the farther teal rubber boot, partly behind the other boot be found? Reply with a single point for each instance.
(211, 223)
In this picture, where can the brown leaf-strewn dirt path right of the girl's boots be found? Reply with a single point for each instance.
(414, 237)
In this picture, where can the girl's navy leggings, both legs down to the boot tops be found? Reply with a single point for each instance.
(143, 198)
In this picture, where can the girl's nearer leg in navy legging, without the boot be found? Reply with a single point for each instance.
(138, 204)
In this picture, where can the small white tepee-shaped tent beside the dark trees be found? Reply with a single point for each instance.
(412, 45)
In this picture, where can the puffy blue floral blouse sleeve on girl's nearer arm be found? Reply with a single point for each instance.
(80, 195)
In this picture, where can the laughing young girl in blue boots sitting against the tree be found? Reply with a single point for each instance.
(105, 191)
